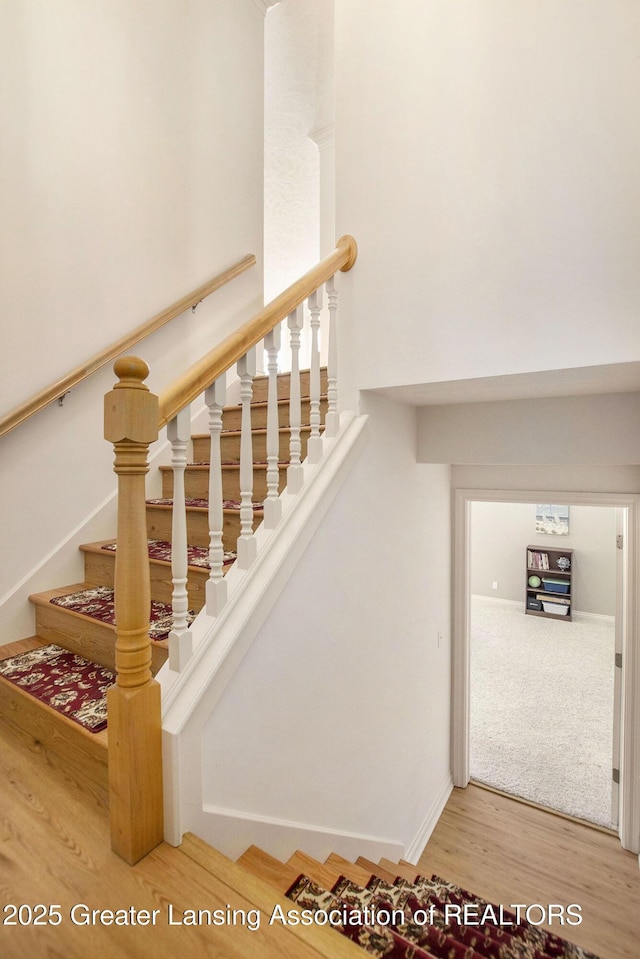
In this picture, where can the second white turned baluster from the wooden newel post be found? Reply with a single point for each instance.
(216, 588)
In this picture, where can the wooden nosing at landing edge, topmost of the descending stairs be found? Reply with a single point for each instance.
(264, 895)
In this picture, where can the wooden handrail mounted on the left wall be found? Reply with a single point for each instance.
(53, 392)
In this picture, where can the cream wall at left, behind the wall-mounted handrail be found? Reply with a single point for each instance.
(132, 173)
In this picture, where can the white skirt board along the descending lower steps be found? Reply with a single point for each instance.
(233, 831)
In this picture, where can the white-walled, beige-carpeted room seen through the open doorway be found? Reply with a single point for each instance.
(542, 687)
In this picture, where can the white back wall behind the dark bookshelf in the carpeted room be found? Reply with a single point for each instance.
(501, 532)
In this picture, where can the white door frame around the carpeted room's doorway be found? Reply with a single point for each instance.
(625, 745)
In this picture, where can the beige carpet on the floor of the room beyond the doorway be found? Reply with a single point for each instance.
(542, 707)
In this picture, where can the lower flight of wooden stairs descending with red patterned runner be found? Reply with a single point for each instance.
(384, 909)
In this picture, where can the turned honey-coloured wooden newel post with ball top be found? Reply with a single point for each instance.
(133, 703)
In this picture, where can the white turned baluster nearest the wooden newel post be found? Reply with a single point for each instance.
(180, 642)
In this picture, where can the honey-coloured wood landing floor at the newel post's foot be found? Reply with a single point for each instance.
(55, 852)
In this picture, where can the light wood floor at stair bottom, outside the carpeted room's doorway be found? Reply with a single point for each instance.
(508, 852)
